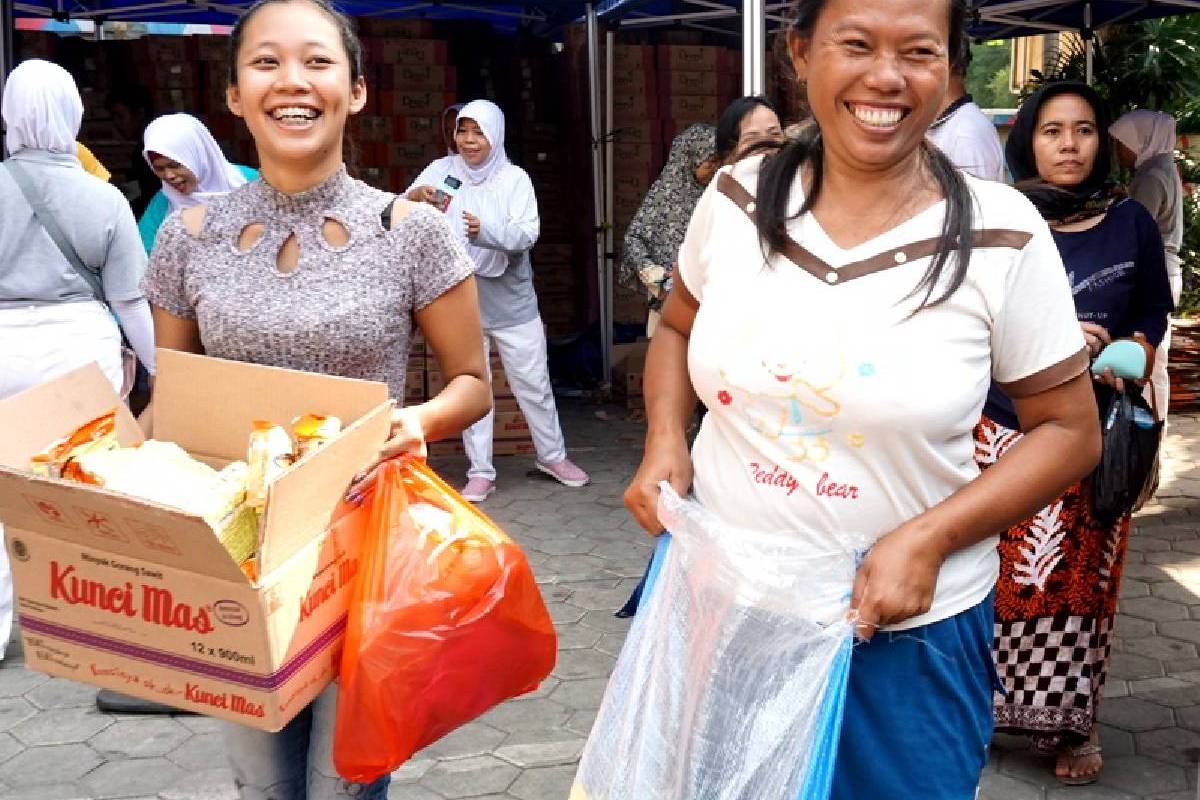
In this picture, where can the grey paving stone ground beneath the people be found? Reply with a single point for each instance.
(589, 555)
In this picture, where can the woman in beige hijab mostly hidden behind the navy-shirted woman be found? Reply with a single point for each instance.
(1145, 145)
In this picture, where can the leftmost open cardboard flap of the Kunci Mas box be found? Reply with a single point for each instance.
(46, 413)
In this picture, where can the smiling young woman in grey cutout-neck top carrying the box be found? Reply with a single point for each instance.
(310, 269)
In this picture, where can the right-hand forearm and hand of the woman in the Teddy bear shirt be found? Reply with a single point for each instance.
(1061, 446)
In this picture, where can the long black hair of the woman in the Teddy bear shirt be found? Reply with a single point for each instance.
(779, 173)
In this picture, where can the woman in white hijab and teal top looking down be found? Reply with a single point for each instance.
(193, 170)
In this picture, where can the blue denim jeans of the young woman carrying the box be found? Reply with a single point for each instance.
(297, 763)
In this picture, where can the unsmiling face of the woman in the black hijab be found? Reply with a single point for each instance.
(1066, 141)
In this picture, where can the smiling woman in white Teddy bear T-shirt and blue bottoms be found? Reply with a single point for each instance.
(842, 309)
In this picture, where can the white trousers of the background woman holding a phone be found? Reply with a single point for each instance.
(523, 351)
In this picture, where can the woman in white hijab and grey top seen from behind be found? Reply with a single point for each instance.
(53, 316)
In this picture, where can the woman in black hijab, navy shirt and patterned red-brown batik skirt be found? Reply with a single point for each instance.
(1061, 570)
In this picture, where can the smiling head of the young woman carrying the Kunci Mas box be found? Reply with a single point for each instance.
(295, 87)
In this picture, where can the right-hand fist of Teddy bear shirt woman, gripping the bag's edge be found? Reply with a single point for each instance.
(898, 578)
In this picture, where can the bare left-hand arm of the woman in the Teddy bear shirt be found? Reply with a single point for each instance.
(670, 404)
